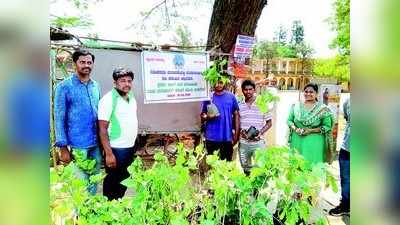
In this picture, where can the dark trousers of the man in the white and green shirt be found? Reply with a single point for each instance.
(112, 187)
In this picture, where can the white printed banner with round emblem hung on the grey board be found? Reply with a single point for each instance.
(173, 77)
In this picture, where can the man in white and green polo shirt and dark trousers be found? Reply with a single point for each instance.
(118, 127)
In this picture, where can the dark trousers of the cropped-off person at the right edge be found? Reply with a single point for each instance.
(344, 164)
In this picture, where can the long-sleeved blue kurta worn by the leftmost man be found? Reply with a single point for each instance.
(75, 113)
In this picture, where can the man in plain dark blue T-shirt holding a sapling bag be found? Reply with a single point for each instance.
(218, 129)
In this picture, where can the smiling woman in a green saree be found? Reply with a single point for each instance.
(310, 124)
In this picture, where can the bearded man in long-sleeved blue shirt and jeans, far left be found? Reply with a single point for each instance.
(75, 114)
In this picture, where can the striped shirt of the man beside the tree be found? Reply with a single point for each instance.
(251, 116)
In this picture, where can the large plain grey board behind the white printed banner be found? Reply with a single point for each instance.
(152, 118)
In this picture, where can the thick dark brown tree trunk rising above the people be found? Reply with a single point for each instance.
(230, 18)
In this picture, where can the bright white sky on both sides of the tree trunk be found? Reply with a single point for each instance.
(112, 18)
